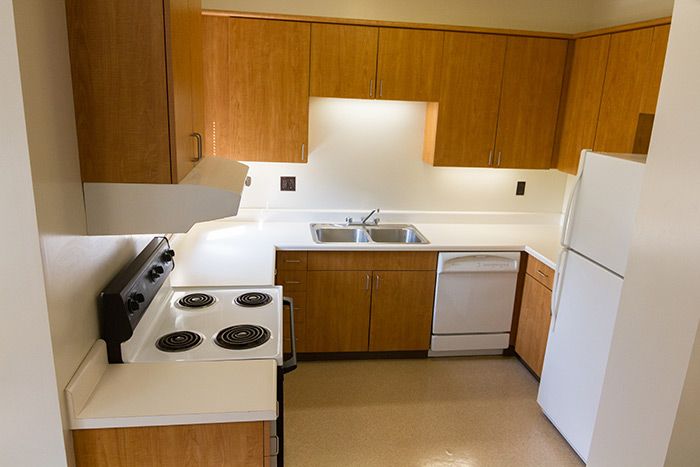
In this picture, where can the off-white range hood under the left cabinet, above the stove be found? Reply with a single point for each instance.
(211, 190)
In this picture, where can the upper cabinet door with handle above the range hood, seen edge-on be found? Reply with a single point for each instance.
(185, 83)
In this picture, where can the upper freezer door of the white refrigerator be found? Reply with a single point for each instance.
(603, 211)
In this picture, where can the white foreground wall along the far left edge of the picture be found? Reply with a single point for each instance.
(30, 426)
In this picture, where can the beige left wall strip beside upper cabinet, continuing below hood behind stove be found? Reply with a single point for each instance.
(75, 266)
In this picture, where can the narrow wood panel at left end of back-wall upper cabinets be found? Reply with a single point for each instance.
(217, 114)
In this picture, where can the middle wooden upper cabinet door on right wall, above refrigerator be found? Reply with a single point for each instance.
(627, 72)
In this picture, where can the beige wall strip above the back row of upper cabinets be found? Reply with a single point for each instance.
(543, 15)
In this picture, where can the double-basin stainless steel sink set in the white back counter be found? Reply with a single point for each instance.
(384, 233)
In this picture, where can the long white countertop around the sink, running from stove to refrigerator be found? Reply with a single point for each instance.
(232, 253)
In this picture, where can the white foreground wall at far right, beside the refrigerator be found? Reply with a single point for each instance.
(658, 317)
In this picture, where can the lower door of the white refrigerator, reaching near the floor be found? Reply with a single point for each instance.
(578, 348)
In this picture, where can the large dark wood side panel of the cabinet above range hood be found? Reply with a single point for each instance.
(119, 90)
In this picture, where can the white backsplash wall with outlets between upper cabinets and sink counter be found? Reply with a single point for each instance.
(366, 154)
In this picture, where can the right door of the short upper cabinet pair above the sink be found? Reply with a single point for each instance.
(409, 64)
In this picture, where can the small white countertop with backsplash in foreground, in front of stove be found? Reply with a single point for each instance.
(101, 395)
